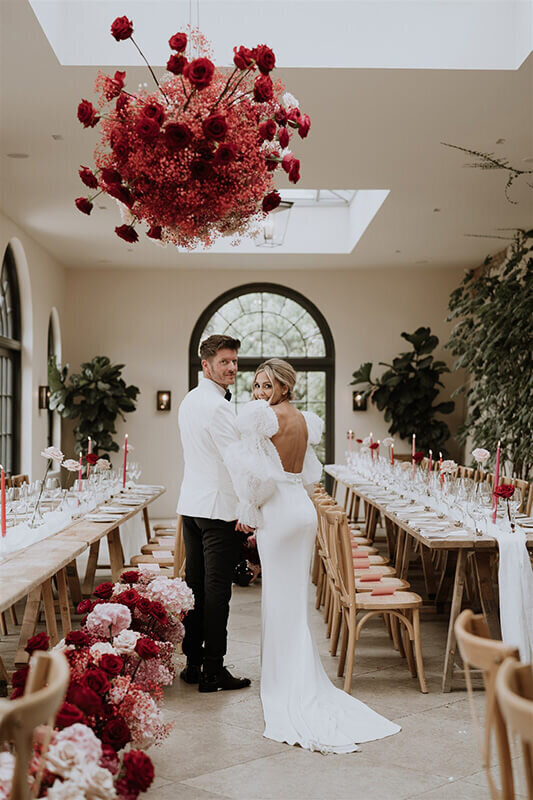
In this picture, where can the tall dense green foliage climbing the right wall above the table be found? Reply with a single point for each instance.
(493, 342)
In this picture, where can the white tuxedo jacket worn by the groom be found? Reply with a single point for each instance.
(207, 426)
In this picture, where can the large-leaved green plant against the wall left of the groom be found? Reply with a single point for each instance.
(95, 397)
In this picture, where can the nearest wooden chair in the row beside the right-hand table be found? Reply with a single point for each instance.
(404, 606)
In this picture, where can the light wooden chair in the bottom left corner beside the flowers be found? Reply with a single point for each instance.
(46, 686)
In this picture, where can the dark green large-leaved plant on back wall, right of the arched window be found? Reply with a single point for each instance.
(407, 391)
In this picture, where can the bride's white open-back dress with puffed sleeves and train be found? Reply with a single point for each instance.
(300, 704)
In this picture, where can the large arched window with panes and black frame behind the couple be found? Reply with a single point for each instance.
(271, 320)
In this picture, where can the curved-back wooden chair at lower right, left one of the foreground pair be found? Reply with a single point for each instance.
(478, 650)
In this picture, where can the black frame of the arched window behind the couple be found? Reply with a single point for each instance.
(324, 363)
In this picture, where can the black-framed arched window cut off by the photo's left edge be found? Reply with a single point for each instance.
(10, 347)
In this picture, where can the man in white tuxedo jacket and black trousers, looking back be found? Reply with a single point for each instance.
(208, 505)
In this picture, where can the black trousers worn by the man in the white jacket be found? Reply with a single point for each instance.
(212, 549)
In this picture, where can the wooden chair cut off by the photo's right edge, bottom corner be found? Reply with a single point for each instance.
(514, 692)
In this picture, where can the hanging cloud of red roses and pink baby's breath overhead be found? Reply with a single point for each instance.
(195, 159)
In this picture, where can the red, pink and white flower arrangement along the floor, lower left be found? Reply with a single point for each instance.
(119, 662)
